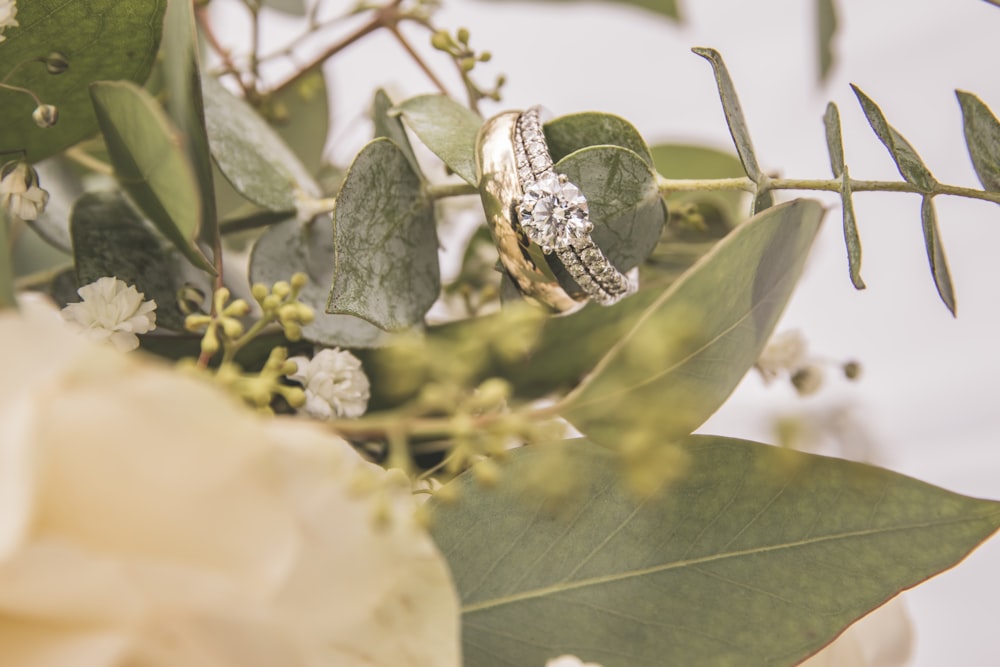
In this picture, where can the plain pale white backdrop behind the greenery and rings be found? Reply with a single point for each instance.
(926, 404)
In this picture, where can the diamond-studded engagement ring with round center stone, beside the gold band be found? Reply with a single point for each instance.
(554, 214)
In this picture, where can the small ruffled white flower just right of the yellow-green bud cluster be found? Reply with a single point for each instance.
(335, 384)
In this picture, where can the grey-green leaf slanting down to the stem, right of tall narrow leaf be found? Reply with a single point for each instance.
(250, 154)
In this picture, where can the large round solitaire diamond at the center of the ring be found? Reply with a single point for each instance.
(553, 213)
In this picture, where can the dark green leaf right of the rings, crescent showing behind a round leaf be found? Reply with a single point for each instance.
(570, 133)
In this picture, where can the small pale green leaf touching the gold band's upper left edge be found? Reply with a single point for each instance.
(447, 128)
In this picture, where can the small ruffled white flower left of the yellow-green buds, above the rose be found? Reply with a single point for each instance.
(112, 310)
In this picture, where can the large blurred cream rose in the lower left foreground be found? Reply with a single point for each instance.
(148, 520)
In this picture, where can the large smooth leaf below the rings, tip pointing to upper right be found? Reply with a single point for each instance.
(682, 353)
